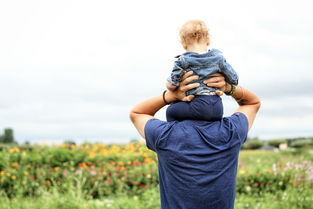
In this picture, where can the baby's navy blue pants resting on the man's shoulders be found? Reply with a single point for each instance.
(202, 107)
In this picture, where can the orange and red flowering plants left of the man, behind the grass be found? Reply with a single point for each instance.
(99, 170)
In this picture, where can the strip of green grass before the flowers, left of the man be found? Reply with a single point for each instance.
(75, 200)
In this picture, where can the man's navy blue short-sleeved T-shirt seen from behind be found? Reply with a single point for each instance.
(197, 160)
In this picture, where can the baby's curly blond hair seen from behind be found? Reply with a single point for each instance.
(194, 31)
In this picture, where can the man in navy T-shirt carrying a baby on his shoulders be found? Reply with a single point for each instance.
(197, 159)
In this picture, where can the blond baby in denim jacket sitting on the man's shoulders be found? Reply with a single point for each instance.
(194, 37)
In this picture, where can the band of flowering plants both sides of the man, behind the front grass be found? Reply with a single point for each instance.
(105, 170)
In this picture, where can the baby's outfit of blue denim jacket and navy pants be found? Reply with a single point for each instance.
(206, 105)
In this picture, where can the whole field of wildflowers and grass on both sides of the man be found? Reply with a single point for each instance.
(121, 176)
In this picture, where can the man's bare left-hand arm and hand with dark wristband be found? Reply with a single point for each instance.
(145, 110)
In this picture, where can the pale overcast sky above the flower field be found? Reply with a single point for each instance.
(72, 69)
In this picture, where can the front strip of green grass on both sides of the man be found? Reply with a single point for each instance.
(291, 198)
